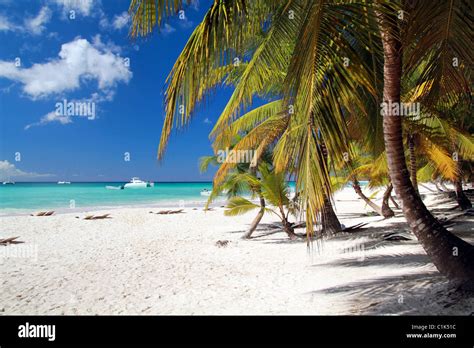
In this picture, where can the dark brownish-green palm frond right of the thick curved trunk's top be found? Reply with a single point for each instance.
(438, 37)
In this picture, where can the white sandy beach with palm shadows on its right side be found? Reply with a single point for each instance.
(142, 263)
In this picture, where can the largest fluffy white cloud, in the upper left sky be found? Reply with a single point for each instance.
(78, 61)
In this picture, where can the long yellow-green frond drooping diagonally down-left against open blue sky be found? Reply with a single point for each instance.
(215, 42)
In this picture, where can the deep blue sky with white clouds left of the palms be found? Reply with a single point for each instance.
(77, 51)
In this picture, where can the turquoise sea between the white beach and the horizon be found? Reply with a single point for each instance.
(26, 197)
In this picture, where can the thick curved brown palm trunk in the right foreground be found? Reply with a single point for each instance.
(451, 255)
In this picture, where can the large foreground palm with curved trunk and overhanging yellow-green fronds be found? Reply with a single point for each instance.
(310, 41)
